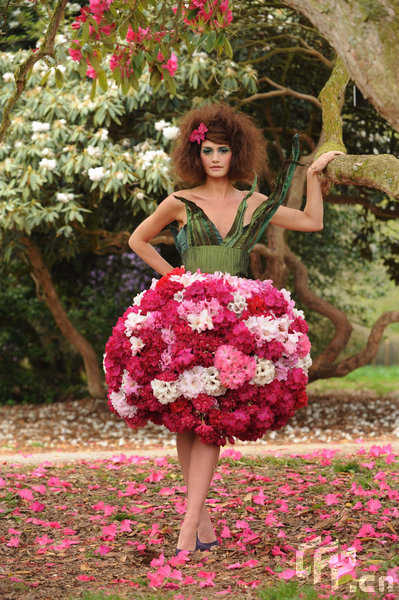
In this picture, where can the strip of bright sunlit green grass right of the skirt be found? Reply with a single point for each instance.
(379, 379)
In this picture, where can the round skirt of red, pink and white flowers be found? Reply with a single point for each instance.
(223, 356)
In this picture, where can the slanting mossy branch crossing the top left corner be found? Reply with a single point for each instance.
(22, 72)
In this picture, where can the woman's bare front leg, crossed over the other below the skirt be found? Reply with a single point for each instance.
(203, 461)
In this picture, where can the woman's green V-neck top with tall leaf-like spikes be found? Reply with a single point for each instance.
(200, 244)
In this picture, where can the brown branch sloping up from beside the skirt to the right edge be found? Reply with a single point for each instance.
(364, 357)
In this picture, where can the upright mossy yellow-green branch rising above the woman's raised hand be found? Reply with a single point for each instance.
(331, 104)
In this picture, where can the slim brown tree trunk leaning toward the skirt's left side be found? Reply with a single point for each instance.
(81, 345)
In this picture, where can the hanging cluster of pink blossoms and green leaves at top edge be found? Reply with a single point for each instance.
(112, 28)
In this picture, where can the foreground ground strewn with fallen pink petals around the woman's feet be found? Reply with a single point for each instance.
(313, 526)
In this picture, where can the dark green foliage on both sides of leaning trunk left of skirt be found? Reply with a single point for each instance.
(37, 364)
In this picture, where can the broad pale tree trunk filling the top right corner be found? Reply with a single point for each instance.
(365, 34)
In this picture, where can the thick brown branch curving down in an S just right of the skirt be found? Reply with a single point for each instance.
(343, 328)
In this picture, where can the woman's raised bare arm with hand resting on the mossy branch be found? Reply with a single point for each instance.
(311, 218)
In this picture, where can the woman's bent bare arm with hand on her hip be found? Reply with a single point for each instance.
(169, 210)
